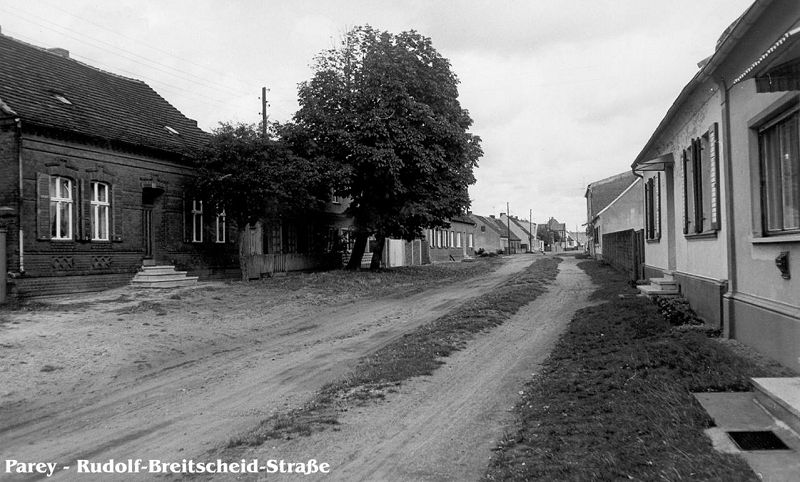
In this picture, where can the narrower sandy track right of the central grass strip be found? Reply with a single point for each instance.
(443, 427)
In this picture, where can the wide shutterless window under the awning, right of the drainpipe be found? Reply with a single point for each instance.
(779, 146)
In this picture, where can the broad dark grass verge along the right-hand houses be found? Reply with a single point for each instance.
(613, 400)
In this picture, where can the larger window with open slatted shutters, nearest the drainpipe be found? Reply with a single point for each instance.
(700, 182)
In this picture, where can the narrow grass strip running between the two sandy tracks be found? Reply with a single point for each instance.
(414, 354)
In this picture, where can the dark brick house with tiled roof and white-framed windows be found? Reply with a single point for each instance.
(93, 175)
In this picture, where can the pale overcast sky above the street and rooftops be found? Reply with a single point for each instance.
(562, 93)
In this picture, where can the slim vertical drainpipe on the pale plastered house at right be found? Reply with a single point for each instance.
(728, 322)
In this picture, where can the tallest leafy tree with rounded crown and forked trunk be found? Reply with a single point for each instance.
(384, 108)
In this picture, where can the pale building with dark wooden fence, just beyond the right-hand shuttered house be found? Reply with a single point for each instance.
(616, 225)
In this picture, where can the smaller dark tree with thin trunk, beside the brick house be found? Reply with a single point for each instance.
(252, 176)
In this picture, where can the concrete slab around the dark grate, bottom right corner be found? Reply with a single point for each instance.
(742, 411)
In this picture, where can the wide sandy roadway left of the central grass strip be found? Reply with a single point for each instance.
(176, 381)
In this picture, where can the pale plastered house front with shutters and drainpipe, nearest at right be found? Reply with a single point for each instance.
(722, 182)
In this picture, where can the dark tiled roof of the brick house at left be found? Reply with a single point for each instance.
(35, 83)
